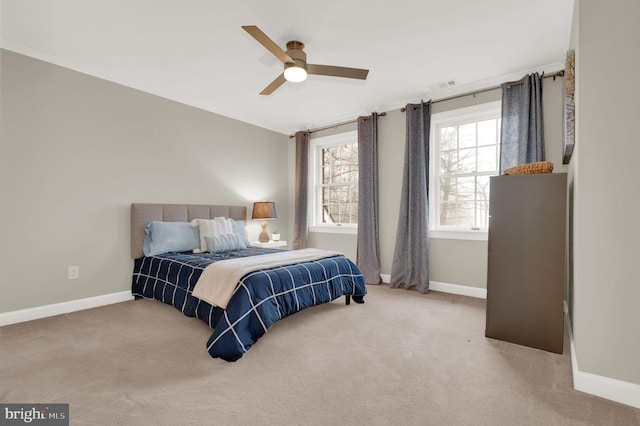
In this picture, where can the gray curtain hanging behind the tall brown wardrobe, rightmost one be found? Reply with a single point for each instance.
(522, 134)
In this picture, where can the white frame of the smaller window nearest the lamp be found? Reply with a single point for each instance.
(315, 176)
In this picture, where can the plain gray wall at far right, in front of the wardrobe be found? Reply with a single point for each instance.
(605, 290)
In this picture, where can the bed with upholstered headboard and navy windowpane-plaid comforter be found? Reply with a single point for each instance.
(272, 289)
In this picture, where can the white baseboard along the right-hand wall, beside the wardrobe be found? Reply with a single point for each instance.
(604, 387)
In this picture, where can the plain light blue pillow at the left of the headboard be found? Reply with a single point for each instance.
(165, 237)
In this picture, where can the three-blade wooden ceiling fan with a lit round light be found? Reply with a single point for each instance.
(295, 62)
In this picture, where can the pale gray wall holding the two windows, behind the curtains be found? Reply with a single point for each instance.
(460, 262)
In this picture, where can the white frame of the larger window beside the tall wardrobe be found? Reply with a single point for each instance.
(453, 117)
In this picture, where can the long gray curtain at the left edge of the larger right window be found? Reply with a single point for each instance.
(410, 267)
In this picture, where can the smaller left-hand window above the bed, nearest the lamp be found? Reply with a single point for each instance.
(333, 197)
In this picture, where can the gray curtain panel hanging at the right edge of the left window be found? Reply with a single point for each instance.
(368, 258)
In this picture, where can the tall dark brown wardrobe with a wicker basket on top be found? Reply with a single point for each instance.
(525, 285)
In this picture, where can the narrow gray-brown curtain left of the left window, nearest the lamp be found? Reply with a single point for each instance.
(302, 190)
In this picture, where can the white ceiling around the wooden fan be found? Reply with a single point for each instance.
(195, 52)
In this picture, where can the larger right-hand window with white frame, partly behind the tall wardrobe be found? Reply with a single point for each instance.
(465, 150)
